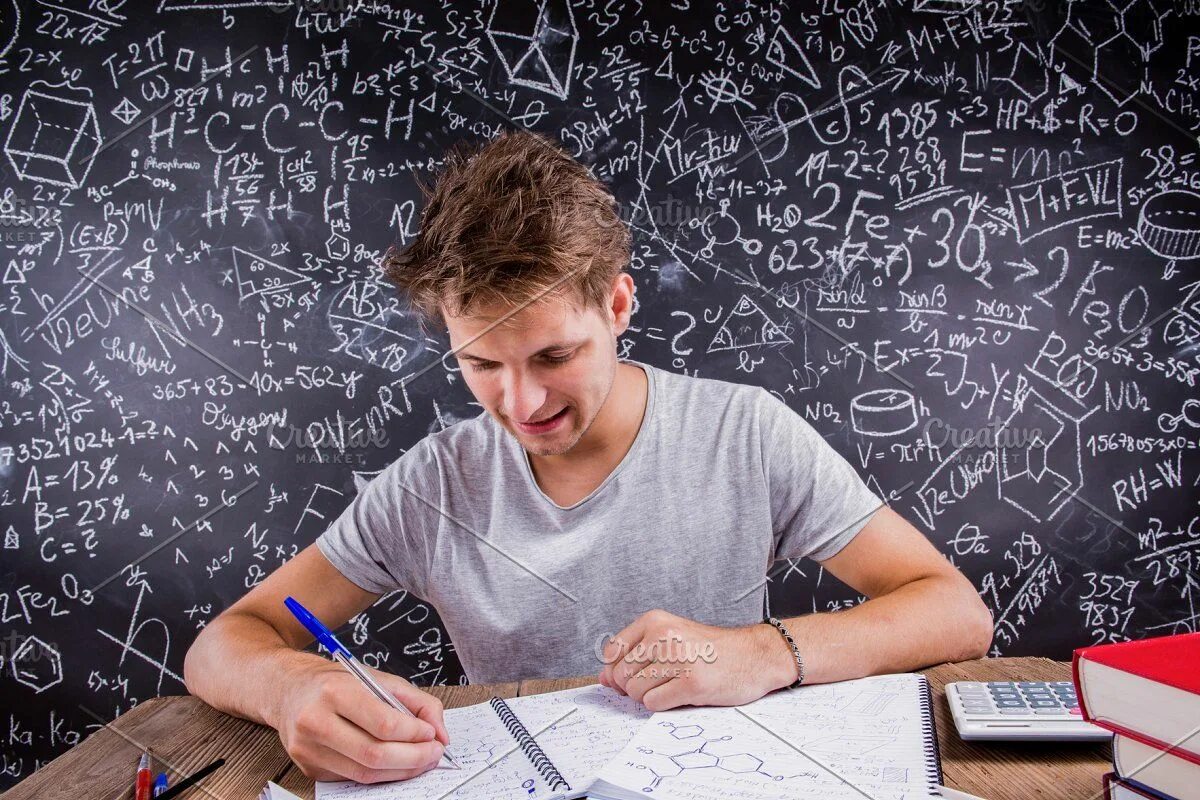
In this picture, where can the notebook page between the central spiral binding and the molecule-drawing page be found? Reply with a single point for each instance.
(601, 723)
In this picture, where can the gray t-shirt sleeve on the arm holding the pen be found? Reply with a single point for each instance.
(381, 542)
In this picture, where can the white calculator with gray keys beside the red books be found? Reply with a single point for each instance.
(1021, 712)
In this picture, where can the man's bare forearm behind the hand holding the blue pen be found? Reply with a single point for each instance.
(239, 665)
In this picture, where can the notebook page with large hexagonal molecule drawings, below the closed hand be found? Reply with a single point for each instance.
(833, 741)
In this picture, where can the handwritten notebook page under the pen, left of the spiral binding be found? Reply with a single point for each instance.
(494, 767)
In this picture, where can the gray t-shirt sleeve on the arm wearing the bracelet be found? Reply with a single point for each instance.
(818, 502)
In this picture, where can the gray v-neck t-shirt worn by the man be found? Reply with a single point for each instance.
(722, 480)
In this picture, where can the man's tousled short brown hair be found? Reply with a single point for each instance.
(508, 222)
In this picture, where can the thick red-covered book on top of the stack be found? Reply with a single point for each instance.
(1148, 690)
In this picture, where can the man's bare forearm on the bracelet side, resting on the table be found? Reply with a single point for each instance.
(931, 621)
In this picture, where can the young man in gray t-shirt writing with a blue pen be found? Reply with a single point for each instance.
(601, 515)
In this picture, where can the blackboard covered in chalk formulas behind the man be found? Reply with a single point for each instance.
(959, 238)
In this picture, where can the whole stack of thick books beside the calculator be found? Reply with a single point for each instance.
(1148, 694)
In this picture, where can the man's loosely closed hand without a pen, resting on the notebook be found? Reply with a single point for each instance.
(663, 661)
